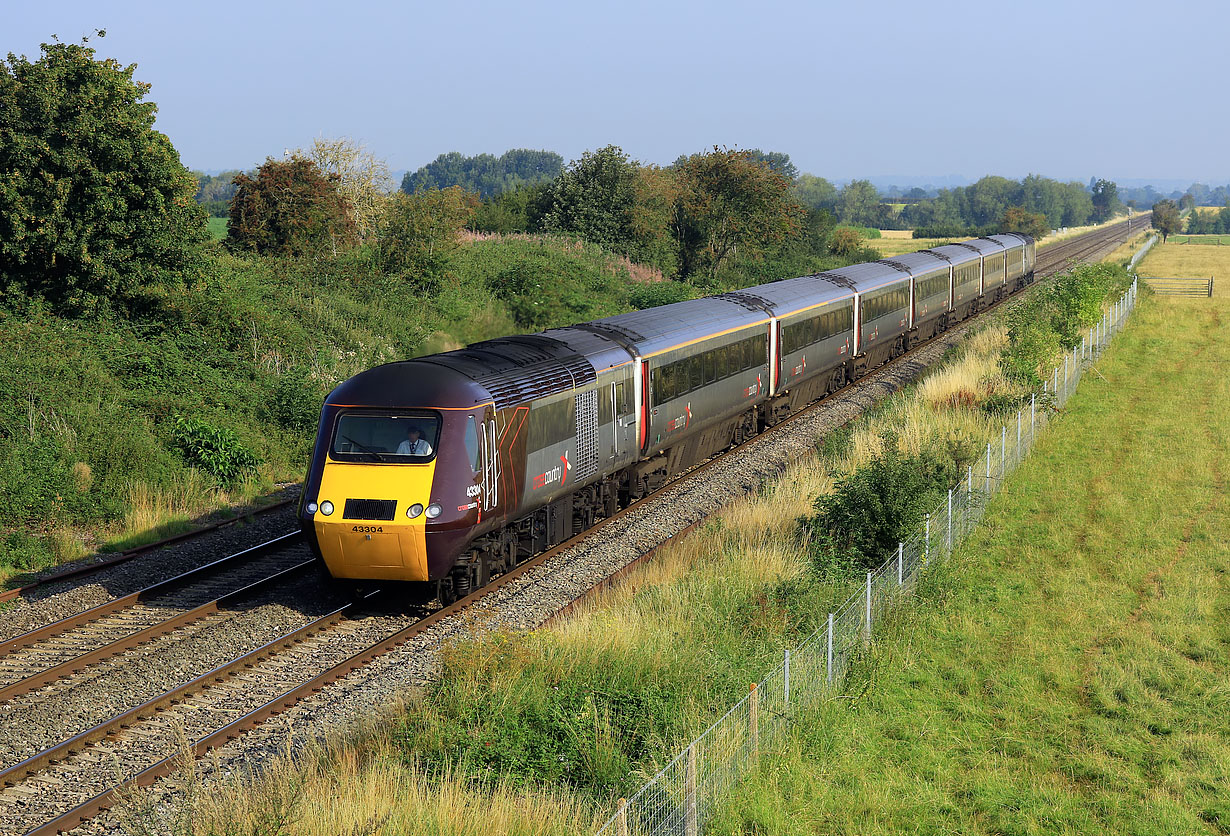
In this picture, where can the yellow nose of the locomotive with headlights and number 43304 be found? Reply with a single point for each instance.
(370, 534)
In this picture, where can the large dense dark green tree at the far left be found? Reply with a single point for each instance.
(94, 202)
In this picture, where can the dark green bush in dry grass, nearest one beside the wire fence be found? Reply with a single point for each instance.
(883, 503)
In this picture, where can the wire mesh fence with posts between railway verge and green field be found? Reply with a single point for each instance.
(682, 797)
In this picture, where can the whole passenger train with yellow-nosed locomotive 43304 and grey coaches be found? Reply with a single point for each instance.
(451, 469)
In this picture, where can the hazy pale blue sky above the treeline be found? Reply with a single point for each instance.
(847, 89)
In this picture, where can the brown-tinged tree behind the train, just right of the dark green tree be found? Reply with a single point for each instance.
(730, 203)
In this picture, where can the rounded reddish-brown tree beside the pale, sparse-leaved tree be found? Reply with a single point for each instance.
(290, 208)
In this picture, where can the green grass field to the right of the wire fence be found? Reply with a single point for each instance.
(1068, 672)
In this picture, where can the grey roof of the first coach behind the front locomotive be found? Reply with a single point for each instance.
(657, 330)
